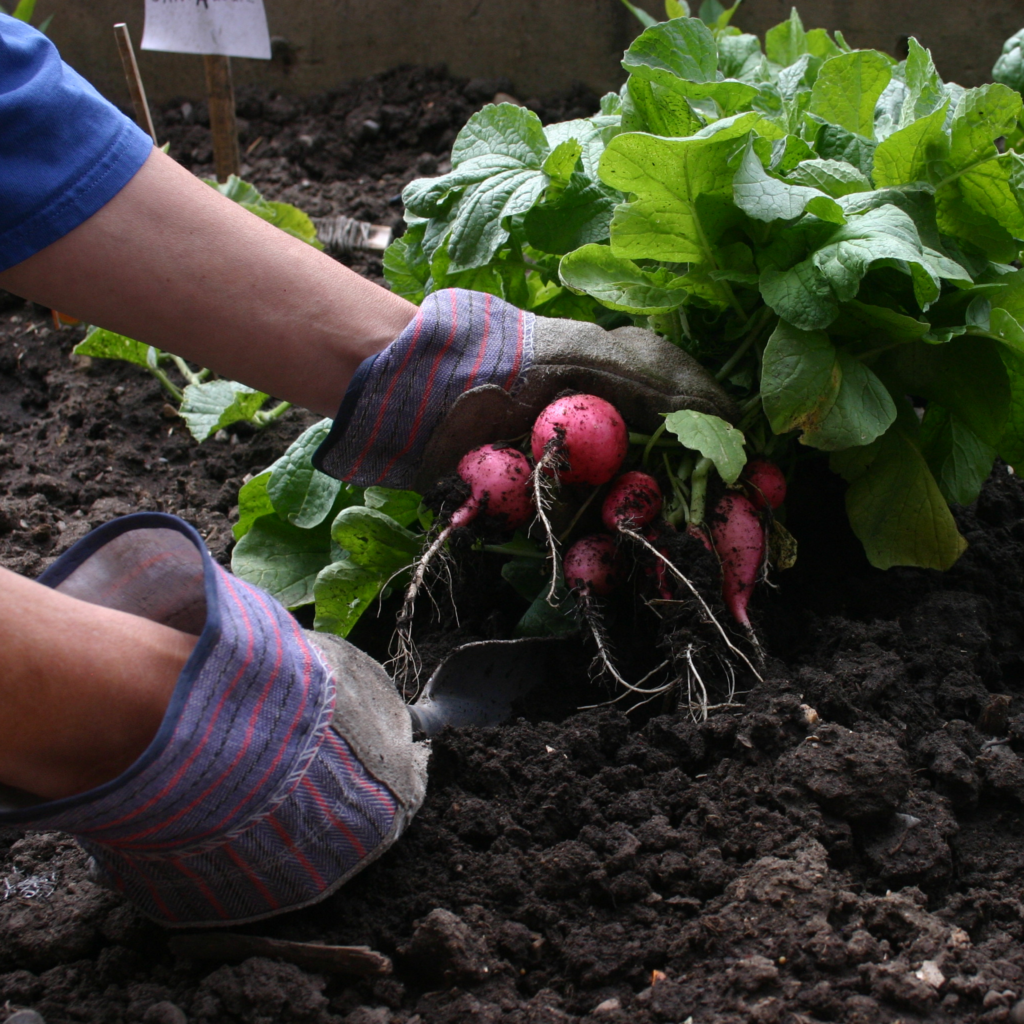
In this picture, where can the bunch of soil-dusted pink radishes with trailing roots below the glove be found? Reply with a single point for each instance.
(583, 440)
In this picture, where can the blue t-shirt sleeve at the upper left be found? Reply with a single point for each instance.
(65, 151)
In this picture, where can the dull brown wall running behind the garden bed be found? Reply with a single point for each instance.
(542, 46)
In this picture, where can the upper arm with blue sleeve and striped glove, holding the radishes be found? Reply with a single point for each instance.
(172, 263)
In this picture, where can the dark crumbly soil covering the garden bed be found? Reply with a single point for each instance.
(845, 846)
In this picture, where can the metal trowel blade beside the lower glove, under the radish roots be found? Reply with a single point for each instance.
(478, 684)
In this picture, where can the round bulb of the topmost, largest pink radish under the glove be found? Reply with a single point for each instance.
(582, 439)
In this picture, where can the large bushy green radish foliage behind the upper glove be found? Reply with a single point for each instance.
(829, 231)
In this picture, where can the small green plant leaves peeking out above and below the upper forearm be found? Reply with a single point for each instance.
(208, 406)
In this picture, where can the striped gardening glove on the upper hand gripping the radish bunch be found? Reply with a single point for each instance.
(472, 369)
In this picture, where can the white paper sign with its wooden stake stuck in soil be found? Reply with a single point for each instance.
(219, 31)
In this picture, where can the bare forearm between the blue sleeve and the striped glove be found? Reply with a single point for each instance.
(172, 263)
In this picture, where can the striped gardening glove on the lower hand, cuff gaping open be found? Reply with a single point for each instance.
(285, 762)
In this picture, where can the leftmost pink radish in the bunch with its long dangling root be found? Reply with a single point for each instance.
(499, 482)
